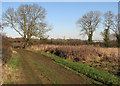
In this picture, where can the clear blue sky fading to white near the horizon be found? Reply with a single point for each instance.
(62, 16)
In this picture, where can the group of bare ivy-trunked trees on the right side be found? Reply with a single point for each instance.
(90, 22)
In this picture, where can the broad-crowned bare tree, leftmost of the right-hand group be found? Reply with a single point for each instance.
(89, 23)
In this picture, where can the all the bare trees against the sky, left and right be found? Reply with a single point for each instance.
(29, 21)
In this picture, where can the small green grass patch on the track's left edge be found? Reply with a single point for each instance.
(14, 61)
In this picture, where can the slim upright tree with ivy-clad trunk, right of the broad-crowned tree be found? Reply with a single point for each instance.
(108, 24)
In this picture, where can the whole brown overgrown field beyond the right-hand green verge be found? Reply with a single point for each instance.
(101, 58)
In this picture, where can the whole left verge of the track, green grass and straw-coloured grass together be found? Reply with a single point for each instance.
(11, 73)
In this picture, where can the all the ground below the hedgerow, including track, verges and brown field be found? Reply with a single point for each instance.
(60, 64)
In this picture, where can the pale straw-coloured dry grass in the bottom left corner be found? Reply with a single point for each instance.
(11, 75)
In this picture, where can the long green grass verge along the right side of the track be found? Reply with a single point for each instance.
(101, 76)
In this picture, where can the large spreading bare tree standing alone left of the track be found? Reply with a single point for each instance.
(26, 20)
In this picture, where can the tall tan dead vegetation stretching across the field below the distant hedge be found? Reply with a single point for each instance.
(80, 53)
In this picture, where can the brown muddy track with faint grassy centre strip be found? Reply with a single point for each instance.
(39, 69)
